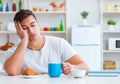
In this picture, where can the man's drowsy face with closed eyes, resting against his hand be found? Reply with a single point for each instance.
(30, 26)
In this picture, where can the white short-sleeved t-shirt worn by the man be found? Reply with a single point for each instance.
(55, 50)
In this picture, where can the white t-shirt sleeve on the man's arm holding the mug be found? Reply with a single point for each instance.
(66, 50)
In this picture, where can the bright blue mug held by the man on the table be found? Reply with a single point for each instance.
(54, 69)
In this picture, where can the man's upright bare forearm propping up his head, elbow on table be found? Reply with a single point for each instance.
(14, 63)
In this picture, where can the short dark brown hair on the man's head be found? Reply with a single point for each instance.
(22, 14)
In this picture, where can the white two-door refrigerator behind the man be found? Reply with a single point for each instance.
(86, 41)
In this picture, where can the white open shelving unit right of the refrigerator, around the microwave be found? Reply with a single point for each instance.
(110, 10)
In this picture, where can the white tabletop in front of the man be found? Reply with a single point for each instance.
(45, 79)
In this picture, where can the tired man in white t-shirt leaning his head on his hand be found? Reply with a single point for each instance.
(36, 51)
